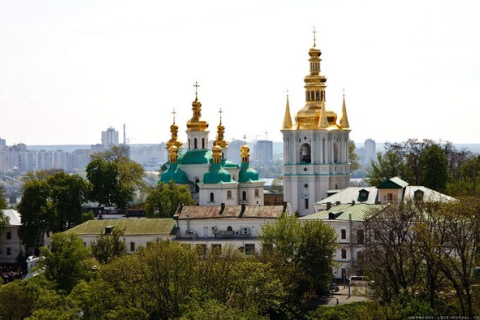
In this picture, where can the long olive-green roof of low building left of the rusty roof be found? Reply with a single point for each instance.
(137, 226)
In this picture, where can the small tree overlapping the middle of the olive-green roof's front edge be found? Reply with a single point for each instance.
(109, 246)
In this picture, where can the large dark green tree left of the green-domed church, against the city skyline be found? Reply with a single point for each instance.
(114, 177)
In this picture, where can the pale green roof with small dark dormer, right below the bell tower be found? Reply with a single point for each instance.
(342, 211)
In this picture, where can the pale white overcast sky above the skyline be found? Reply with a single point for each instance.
(71, 69)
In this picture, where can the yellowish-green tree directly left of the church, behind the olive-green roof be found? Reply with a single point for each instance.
(163, 199)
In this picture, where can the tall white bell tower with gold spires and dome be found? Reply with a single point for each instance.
(315, 147)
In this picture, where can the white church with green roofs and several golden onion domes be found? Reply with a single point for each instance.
(212, 179)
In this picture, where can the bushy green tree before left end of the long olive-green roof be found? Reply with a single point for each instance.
(67, 262)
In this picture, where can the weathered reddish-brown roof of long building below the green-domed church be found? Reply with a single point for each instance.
(209, 212)
